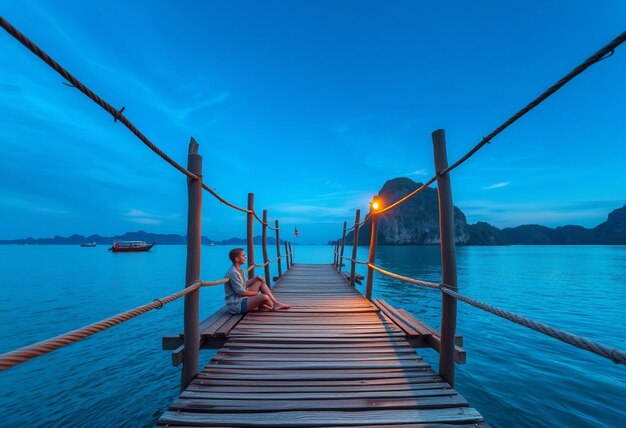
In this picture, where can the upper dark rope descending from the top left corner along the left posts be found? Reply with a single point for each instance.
(117, 114)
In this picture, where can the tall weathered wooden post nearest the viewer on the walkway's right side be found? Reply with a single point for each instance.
(448, 258)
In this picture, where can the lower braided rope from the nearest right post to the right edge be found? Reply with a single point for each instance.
(615, 355)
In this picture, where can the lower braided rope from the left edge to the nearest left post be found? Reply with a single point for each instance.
(29, 352)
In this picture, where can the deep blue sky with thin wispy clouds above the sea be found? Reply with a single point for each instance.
(310, 105)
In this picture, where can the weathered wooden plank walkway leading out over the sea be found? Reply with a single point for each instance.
(333, 359)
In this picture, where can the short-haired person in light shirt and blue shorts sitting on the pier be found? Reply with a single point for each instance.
(242, 296)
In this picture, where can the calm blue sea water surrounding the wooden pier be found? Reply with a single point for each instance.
(513, 376)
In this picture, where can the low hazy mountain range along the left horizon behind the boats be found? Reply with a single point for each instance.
(161, 239)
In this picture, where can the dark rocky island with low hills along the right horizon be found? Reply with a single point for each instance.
(416, 222)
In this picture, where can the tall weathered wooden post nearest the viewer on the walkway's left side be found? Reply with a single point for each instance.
(194, 233)
